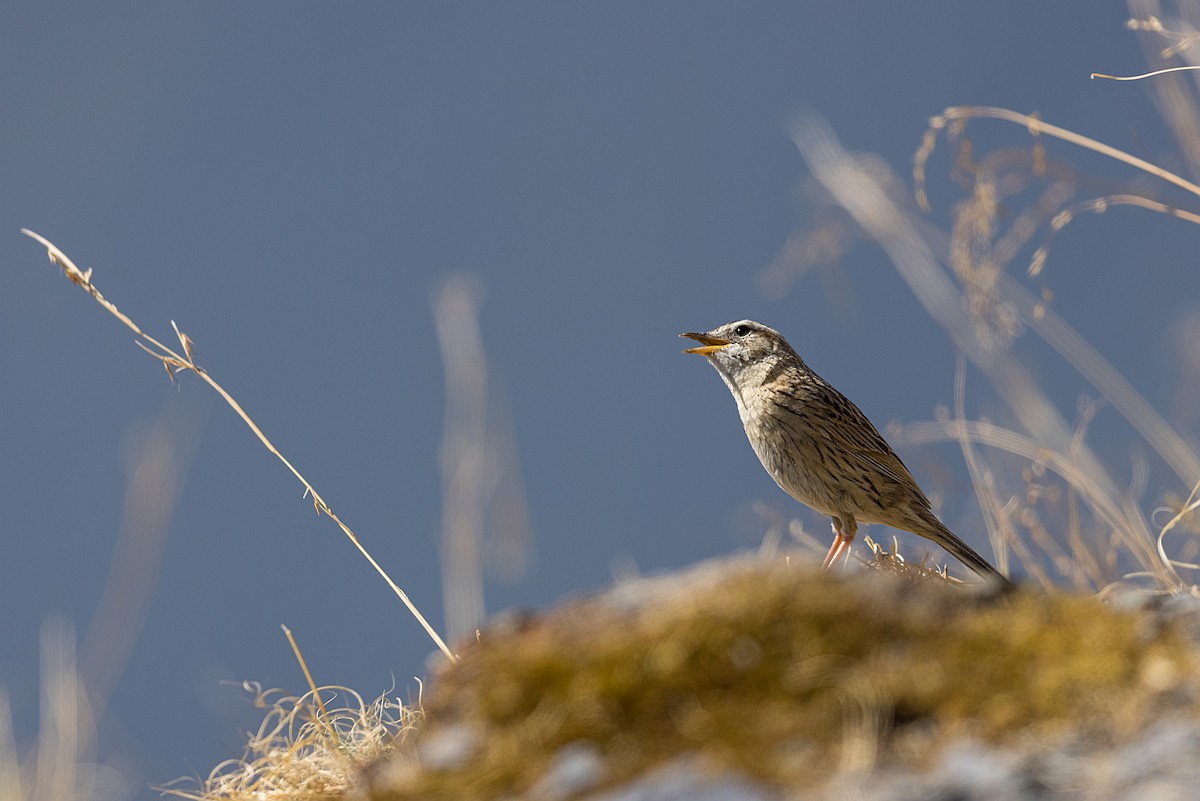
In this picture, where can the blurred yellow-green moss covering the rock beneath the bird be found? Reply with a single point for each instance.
(784, 676)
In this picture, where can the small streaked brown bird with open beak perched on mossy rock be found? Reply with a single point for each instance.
(819, 447)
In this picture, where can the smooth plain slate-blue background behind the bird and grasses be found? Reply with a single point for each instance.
(291, 183)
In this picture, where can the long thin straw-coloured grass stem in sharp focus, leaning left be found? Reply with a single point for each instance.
(176, 363)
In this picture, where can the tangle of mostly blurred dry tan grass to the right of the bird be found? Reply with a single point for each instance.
(1051, 504)
